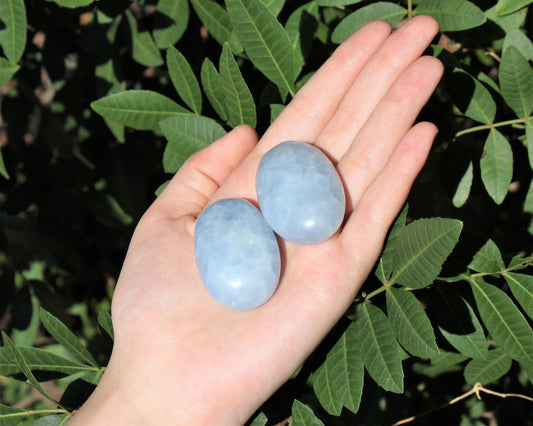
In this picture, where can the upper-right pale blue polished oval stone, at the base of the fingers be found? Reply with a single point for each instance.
(300, 193)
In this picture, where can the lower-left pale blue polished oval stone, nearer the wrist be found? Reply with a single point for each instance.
(237, 254)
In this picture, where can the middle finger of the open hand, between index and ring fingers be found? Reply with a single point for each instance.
(392, 58)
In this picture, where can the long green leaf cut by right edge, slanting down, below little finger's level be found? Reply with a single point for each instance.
(503, 320)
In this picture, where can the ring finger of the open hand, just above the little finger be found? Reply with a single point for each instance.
(387, 125)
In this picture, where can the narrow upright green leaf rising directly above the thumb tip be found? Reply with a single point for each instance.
(238, 100)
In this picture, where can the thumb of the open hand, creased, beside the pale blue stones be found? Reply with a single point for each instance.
(205, 172)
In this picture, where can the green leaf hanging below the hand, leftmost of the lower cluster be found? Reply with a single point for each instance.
(339, 380)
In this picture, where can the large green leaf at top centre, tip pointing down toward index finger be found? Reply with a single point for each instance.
(265, 41)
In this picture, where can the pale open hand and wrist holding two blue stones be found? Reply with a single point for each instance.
(179, 357)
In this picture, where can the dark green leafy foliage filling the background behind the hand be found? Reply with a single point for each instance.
(100, 102)
